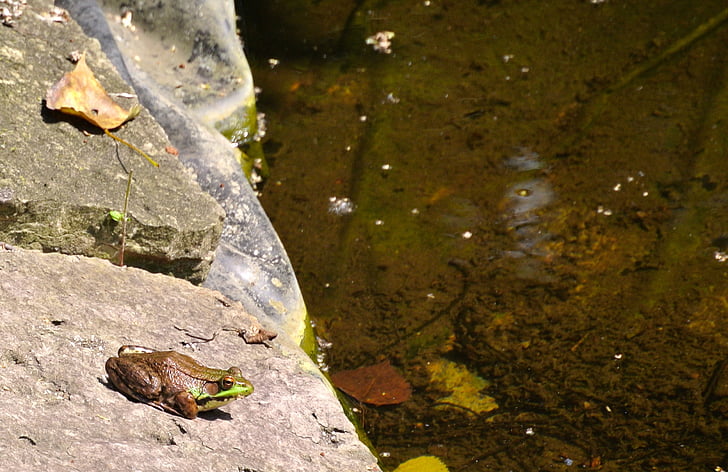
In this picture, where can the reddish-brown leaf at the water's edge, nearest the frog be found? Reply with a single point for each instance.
(379, 384)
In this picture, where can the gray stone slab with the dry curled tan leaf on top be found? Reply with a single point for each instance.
(59, 176)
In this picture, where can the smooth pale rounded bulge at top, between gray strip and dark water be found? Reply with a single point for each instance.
(191, 51)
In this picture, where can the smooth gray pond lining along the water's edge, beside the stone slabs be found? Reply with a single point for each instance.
(175, 51)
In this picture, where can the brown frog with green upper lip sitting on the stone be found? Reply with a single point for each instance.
(174, 382)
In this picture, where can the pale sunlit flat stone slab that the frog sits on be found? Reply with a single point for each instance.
(63, 316)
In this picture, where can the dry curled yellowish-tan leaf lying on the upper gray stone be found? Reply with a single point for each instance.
(80, 93)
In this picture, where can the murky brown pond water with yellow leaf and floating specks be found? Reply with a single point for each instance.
(540, 220)
